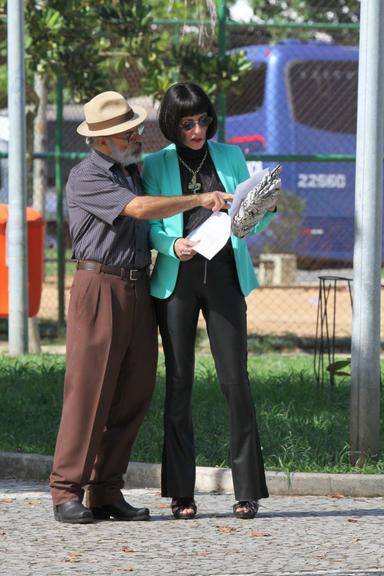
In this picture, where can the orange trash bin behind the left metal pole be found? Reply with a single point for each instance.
(35, 232)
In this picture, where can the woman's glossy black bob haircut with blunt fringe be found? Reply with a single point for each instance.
(180, 100)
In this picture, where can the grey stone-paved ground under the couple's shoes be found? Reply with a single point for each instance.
(290, 536)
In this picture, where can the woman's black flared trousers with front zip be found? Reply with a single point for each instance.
(213, 288)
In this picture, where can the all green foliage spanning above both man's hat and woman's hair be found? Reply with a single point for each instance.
(97, 45)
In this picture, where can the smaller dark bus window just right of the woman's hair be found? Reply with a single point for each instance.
(248, 96)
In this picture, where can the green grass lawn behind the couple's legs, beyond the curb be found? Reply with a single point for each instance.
(302, 427)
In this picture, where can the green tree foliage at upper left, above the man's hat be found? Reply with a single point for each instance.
(72, 38)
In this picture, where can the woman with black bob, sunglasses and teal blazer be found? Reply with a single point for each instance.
(184, 283)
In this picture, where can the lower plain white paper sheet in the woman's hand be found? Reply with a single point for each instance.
(211, 234)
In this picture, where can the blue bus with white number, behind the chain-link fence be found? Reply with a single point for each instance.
(300, 98)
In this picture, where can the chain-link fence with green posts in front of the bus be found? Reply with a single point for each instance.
(296, 105)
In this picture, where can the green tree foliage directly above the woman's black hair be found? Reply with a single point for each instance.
(184, 48)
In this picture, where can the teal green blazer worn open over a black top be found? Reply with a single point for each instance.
(161, 177)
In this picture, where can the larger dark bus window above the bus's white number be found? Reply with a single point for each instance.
(323, 94)
